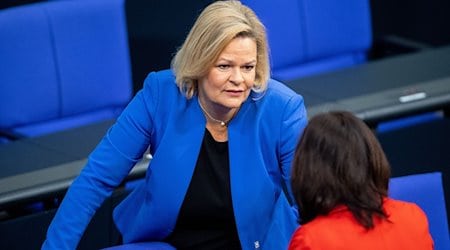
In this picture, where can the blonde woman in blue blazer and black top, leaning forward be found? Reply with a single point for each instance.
(222, 135)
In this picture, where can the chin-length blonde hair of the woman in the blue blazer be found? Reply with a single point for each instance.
(217, 25)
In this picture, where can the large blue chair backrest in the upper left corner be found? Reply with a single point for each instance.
(63, 64)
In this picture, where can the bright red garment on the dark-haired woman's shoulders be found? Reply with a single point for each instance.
(406, 228)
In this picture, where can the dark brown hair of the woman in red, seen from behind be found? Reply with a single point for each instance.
(339, 161)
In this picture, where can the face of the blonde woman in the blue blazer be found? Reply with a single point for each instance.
(228, 83)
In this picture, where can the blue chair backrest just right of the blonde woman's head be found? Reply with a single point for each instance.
(308, 37)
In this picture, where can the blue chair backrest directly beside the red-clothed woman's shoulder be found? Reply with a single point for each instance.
(427, 192)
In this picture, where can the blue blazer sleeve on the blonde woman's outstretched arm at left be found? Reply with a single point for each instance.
(106, 168)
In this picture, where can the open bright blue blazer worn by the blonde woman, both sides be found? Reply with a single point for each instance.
(261, 137)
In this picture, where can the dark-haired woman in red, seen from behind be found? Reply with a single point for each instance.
(340, 178)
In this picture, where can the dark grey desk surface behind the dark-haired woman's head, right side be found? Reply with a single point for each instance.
(383, 89)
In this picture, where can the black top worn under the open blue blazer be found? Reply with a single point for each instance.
(206, 218)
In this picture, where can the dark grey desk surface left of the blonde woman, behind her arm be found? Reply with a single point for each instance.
(42, 167)
